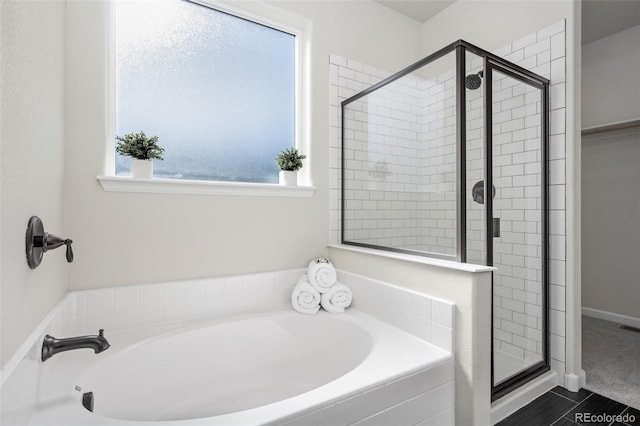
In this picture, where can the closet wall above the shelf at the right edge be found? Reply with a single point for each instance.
(610, 86)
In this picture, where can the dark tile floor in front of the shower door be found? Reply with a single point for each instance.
(559, 407)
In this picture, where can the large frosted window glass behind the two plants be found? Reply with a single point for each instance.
(218, 90)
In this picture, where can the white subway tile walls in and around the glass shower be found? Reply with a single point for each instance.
(401, 172)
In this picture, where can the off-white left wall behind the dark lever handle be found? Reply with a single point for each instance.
(32, 161)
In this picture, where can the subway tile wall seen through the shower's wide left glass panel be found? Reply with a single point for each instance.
(400, 162)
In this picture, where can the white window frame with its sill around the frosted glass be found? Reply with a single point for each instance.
(259, 13)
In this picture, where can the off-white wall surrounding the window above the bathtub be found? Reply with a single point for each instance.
(125, 238)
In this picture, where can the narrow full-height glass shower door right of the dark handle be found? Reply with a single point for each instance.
(518, 225)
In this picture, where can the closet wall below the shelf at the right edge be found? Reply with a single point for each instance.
(610, 229)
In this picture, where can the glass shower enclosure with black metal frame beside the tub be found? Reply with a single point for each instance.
(447, 158)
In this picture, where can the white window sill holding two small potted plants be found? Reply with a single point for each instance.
(200, 187)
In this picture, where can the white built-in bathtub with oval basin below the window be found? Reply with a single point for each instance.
(278, 367)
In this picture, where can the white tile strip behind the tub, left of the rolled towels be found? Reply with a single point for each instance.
(151, 304)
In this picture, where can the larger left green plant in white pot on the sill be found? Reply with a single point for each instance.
(142, 150)
